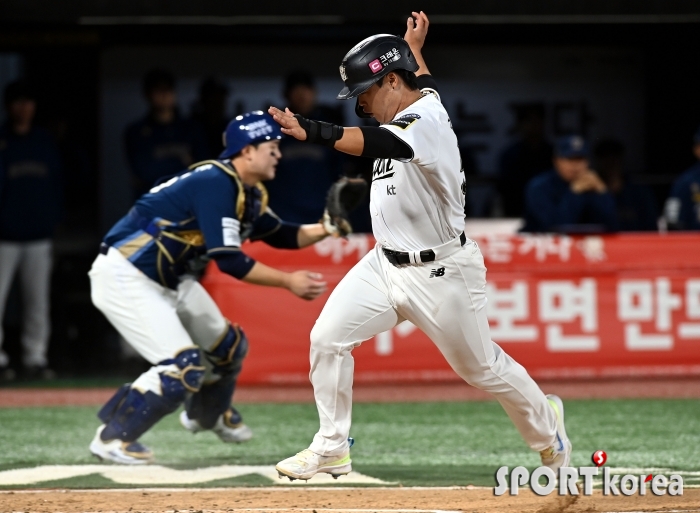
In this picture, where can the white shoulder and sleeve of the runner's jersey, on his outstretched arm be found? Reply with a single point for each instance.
(418, 130)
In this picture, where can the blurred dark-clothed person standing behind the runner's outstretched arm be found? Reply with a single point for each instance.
(298, 192)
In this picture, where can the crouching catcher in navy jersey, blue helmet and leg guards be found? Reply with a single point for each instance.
(145, 283)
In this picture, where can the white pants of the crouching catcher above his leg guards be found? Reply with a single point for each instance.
(158, 322)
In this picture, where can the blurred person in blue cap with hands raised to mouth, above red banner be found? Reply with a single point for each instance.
(571, 197)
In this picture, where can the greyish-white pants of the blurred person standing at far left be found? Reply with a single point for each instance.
(33, 261)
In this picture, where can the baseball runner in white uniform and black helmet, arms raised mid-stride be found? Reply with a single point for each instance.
(423, 268)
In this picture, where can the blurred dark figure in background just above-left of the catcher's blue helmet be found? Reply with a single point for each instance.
(210, 112)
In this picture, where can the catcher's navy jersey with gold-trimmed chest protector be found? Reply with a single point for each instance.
(204, 212)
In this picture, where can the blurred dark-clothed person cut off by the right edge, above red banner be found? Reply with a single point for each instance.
(682, 209)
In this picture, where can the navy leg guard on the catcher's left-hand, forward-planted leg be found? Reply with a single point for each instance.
(131, 412)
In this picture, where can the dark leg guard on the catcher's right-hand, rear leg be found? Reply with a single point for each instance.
(214, 398)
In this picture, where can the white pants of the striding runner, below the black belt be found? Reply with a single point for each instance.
(450, 309)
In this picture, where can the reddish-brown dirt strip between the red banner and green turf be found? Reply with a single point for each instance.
(581, 389)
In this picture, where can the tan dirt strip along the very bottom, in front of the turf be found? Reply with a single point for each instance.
(319, 500)
